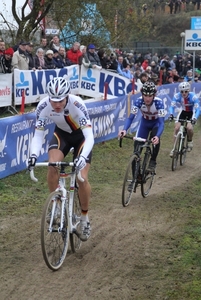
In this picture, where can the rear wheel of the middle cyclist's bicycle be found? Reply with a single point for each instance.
(147, 176)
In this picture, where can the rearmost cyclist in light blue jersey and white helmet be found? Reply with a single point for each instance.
(189, 106)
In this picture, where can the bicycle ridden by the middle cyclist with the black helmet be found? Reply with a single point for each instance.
(137, 173)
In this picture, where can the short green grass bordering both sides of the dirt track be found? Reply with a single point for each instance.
(18, 196)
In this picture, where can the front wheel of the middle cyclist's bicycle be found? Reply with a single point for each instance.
(130, 180)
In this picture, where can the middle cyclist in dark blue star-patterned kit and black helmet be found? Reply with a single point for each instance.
(152, 121)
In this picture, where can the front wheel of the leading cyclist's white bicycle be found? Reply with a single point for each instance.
(54, 241)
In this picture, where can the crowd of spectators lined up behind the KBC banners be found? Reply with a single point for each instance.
(137, 67)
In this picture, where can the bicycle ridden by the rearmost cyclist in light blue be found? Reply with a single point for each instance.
(180, 145)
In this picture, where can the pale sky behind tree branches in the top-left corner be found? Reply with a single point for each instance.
(5, 9)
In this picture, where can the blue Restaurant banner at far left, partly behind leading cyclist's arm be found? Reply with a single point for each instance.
(15, 137)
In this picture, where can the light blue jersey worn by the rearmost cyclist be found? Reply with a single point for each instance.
(188, 104)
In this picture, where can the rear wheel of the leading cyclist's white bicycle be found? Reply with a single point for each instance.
(74, 239)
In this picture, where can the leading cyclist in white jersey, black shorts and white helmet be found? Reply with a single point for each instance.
(73, 129)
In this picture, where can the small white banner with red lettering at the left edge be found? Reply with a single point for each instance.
(5, 90)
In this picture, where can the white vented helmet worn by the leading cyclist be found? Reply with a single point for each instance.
(58, 89)
